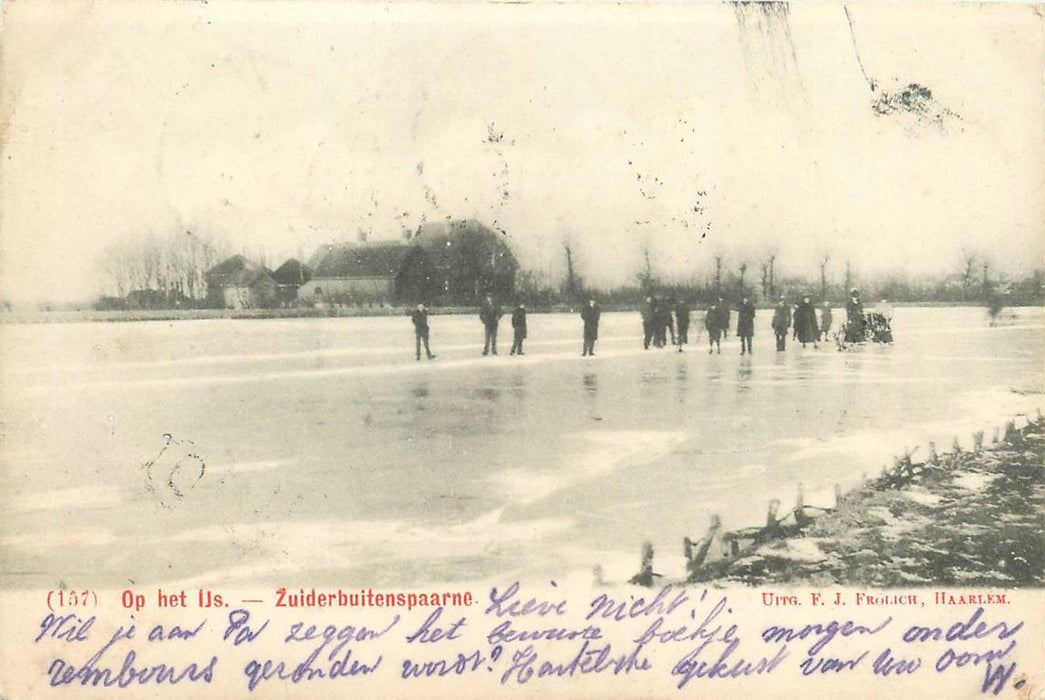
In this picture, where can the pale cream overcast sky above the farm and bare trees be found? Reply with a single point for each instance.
(686, 130)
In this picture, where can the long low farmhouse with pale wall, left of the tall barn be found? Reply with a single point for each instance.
(369, 273)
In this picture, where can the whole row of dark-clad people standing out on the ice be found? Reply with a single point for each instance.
(666, 319)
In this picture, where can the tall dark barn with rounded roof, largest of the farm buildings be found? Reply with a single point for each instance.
(470, 261)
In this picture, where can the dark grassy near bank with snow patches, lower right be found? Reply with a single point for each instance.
(968, 519)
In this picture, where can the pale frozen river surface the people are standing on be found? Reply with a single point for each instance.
(316, 452)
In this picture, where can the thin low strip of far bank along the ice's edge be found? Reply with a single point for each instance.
(95, 316)
